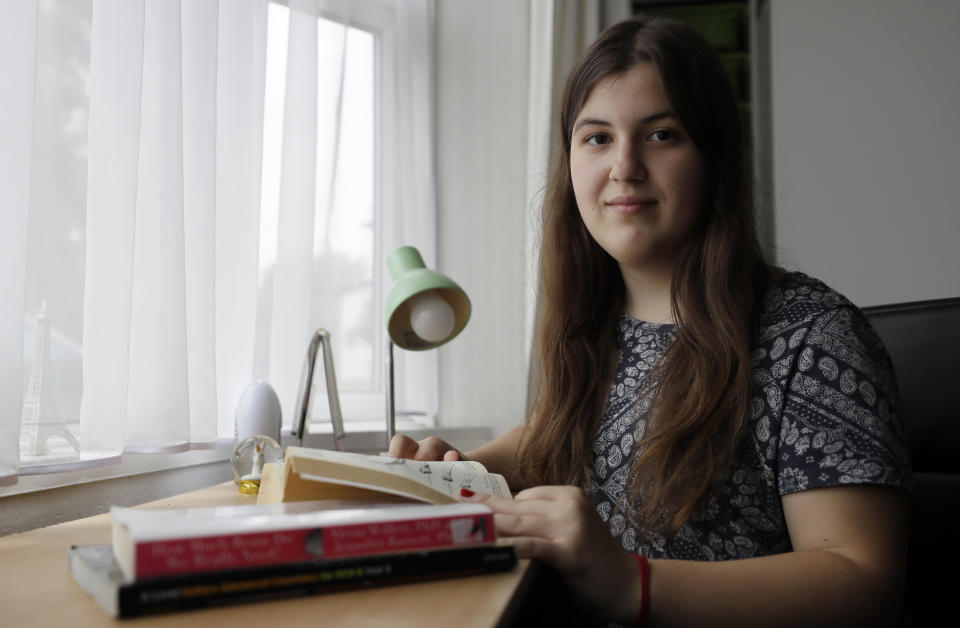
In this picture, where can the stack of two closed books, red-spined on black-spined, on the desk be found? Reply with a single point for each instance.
(165, 560)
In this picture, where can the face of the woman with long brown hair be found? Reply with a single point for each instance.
(638, 178)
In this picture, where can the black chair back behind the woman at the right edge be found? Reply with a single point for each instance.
(923, 339)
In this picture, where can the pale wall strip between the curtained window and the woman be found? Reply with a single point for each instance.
(482, 52)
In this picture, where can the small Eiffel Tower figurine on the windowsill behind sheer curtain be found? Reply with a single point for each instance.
(40, 420)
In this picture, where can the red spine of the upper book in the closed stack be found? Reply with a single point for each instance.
(167, 557)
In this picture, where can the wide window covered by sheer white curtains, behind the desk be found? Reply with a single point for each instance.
(165, 140)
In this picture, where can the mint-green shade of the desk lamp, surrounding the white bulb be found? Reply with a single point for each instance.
(413, 281)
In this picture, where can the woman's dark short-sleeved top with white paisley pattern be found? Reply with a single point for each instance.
(824, 412)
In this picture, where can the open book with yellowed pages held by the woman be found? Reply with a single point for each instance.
(312, 474)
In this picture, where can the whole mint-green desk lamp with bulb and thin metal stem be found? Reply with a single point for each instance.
(425, 309)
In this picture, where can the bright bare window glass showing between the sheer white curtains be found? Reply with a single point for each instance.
(344, 229)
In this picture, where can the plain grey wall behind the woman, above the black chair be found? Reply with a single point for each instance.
(866, 133)
